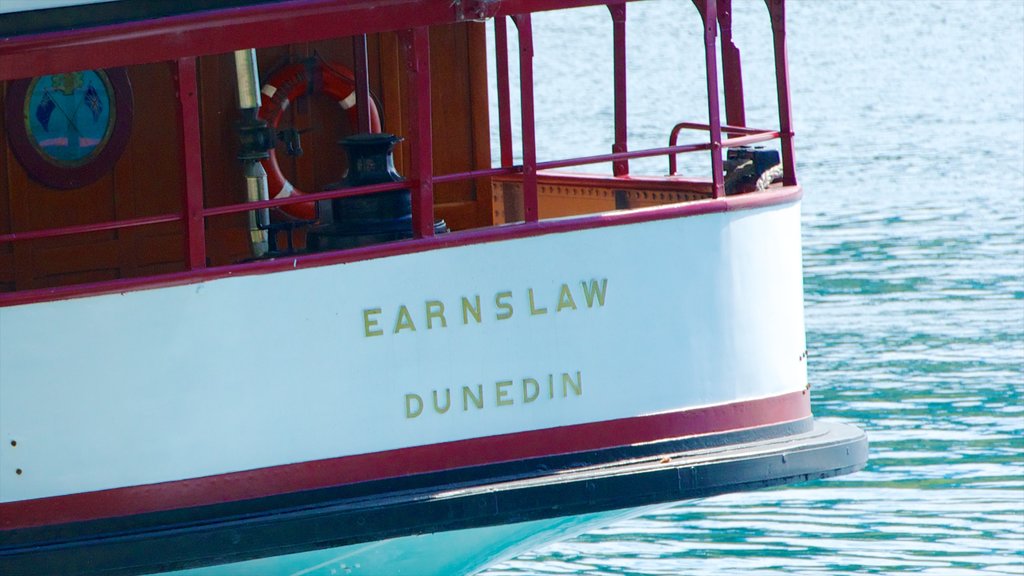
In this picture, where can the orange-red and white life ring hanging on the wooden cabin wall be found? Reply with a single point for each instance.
(287, 86)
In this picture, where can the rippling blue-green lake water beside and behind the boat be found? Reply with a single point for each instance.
(910, 120)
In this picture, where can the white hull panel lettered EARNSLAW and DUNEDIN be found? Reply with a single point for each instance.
(249, 373)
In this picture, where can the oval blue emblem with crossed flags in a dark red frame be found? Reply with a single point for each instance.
(69, 130)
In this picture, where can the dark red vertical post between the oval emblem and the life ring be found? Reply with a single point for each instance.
(192, 163)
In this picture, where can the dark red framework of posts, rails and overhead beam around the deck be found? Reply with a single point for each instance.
(182, 39)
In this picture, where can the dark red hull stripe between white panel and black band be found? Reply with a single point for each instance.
(393, 464)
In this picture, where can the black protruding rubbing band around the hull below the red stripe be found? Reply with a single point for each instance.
(563, 486)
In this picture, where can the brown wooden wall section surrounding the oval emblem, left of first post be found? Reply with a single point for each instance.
(145, 182)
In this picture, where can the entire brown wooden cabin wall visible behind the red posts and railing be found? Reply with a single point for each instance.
(148, 181)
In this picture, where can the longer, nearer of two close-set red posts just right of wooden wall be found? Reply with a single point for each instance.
(530, 200)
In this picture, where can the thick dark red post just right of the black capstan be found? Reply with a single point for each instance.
(416, 45)
